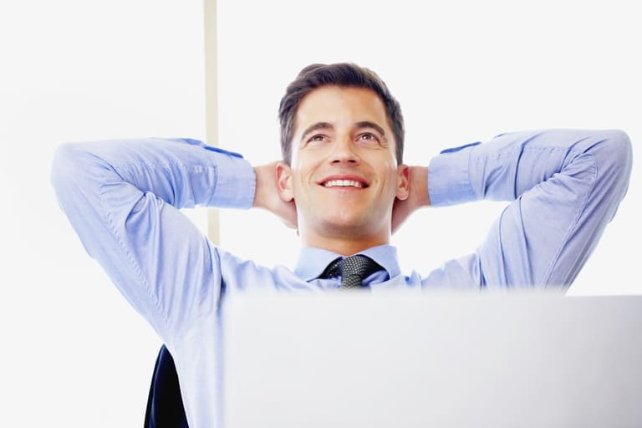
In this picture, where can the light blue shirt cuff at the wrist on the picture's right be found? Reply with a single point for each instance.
(449, 178)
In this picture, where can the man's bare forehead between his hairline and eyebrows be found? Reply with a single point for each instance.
(340, 106)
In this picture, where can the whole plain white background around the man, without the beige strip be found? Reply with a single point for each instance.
(73, 353)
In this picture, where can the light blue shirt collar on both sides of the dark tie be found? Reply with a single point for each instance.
(313, 261)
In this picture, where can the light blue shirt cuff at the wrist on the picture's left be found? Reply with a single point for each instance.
(235, 182)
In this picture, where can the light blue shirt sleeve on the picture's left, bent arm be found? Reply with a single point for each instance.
(123, 199)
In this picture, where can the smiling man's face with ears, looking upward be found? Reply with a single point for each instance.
(344, 175)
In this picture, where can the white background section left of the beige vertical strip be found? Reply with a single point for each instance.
(74, 354)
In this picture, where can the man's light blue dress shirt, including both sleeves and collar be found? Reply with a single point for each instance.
(123, 200)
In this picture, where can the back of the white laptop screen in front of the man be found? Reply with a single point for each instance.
(420, 360)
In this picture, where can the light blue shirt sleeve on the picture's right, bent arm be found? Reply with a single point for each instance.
(564, 186)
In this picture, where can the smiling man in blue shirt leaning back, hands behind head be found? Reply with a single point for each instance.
(342, 183)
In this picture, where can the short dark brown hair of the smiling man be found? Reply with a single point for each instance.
(341, 74)
